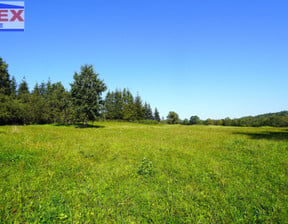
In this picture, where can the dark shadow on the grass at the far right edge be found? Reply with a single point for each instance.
(269, 135)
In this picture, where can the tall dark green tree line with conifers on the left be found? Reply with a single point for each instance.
(51, 103)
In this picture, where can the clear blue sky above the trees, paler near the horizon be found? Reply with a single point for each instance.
(208, 58)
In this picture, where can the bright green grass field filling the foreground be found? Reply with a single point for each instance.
(135, 173)
